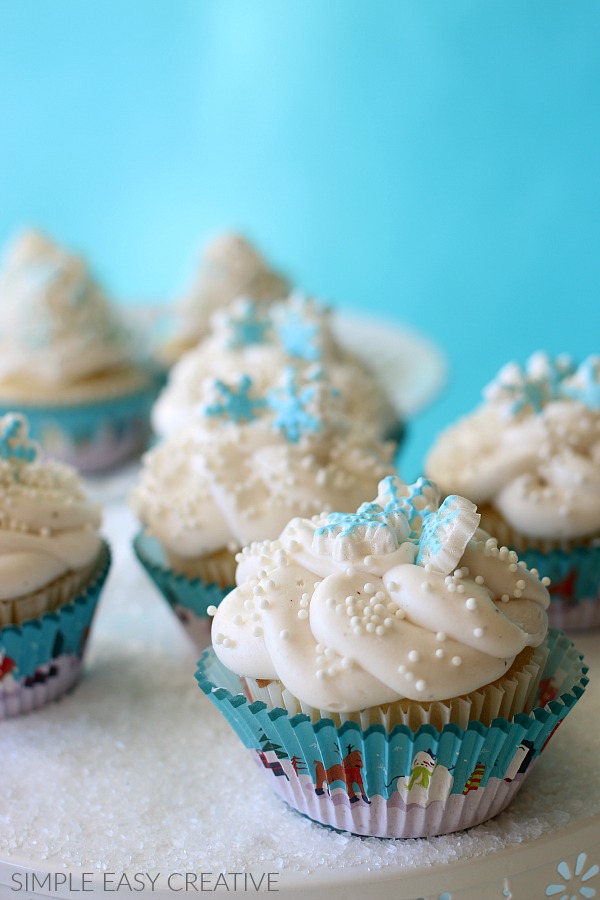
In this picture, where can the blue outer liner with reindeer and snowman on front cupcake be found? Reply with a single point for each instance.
(398, 782)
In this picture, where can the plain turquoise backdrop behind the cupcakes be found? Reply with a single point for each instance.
(431, 162)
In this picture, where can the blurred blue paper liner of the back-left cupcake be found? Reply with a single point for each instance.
(93, 435)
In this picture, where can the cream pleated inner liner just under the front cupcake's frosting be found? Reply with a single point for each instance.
(515, 692)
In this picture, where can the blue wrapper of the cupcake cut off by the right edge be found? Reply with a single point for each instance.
(574, 584)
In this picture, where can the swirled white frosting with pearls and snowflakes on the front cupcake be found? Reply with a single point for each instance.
(406, 598)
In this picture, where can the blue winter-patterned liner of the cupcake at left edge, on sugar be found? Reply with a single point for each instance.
(40, 660)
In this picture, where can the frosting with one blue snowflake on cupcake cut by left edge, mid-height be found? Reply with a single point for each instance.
(48, 527)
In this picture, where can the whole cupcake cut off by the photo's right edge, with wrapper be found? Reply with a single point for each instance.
(529, 456)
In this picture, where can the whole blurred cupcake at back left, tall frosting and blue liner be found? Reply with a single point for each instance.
(66, 361)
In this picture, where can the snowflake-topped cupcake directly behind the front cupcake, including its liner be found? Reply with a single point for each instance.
(242, 466)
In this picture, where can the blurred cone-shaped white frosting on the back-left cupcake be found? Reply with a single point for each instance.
(57, 326)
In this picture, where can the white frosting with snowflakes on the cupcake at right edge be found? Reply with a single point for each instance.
(532, 450)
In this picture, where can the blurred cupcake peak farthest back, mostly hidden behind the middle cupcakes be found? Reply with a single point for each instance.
(230, 267)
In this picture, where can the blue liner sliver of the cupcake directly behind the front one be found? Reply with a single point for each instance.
(189, 598)
